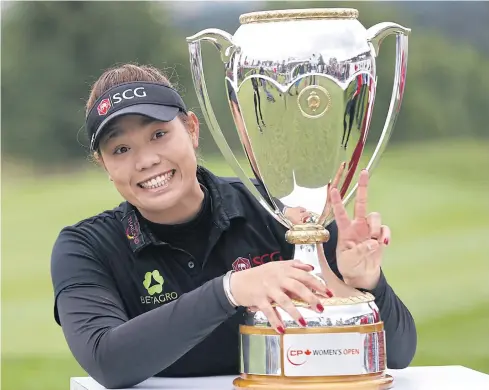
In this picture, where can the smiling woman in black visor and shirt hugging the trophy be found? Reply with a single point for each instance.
(150, 287)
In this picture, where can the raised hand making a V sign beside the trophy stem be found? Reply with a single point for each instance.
(361, 240)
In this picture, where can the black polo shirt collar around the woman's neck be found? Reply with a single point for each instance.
(225, 202)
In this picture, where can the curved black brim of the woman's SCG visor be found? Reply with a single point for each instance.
(154, 111)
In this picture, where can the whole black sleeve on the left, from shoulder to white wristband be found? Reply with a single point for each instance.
(116, 350)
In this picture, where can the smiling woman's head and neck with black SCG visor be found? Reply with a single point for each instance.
(136, 126)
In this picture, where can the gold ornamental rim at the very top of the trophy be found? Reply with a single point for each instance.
(298, 14)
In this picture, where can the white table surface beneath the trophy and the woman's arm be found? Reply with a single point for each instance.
(411, 378)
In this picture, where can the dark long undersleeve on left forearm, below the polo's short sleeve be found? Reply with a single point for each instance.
(118, 352)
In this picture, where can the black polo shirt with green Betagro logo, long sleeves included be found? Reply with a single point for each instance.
(133, 304)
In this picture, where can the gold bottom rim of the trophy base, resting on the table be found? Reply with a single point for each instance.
(363, 382)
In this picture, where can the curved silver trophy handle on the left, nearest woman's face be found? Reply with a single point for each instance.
(223, 41)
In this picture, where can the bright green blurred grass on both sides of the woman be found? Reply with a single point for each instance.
(433, 196)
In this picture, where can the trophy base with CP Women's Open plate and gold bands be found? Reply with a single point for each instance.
(340, 348)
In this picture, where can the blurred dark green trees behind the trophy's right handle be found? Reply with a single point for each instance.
(446, 84)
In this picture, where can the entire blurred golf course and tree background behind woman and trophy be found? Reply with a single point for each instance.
(431, 186)
